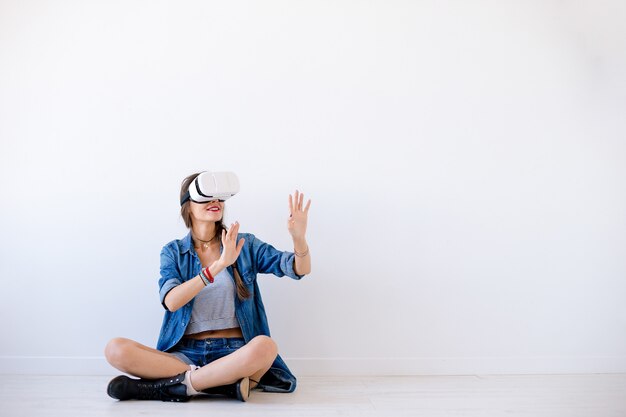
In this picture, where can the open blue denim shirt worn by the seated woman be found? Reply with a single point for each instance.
(180, 263)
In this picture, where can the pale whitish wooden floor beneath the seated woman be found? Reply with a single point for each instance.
(488, 396)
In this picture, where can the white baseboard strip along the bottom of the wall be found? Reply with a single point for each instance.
(97, 365)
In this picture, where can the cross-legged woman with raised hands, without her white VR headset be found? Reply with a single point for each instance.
(215, 336)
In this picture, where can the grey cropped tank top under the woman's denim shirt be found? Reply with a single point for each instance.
(214, 306)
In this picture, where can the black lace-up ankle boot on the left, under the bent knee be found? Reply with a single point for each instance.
(164, 389)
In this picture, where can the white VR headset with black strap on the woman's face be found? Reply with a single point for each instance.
(210, 186)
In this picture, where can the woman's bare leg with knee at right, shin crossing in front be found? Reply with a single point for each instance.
(251, 360)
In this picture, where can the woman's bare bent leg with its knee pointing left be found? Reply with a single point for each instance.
(142, 361)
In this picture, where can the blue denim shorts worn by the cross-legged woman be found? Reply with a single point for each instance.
(202, 352)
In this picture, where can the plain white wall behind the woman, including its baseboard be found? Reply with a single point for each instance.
(465, 162)
